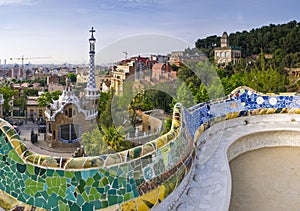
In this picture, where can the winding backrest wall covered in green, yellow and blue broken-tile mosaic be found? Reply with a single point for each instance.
(136, 179)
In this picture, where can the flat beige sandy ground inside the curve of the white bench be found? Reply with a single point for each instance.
(266, 179)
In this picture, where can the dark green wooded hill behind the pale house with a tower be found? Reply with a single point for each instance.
(285, 37)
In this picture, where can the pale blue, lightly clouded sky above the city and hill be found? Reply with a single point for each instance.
(59, 29)
